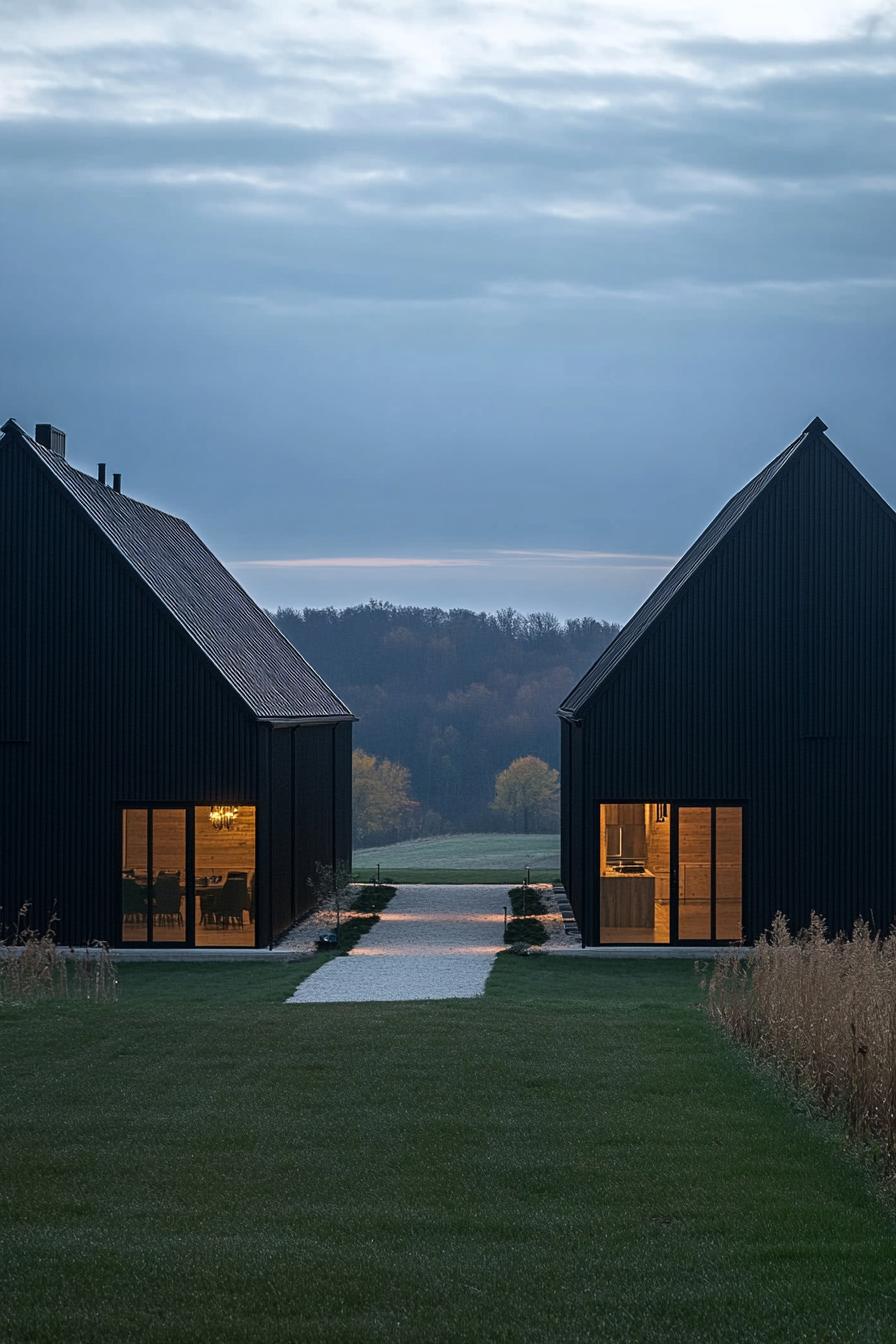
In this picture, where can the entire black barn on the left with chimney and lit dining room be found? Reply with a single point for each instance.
(171, 769)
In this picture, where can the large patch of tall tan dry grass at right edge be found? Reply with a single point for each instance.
(824, 1011)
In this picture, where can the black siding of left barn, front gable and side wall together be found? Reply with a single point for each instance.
(105, 702)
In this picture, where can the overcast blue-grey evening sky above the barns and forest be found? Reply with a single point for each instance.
(453, 303)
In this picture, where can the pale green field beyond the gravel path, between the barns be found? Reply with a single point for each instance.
(465, 858)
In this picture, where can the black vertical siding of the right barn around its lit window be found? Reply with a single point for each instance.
(768, 682)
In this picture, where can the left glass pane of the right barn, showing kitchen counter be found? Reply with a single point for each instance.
(635, 872)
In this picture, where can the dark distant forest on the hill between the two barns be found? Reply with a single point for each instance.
(453, 696)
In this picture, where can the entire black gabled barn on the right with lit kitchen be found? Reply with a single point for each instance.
(731, 753)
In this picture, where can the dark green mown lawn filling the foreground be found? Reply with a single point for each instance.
(578, 1157)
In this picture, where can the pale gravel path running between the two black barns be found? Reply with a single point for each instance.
(431, 943)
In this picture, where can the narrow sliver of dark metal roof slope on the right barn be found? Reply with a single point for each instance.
(679, 576)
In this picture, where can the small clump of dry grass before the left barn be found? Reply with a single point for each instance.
(33, 968)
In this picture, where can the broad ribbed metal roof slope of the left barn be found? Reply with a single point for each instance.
(234, 634)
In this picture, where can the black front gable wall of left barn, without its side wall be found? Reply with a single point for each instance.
(123, 710)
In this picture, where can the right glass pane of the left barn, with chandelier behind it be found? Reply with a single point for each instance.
(225, 876)
